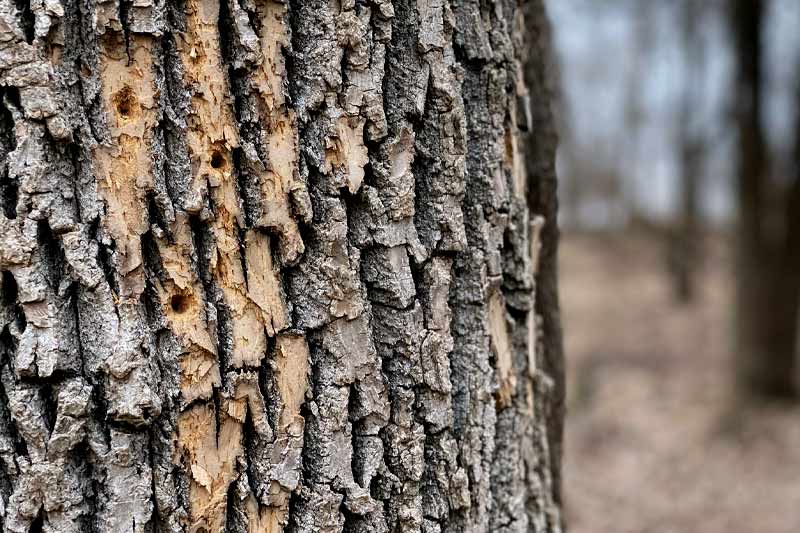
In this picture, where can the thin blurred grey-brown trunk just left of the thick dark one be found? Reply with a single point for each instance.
(684, 239)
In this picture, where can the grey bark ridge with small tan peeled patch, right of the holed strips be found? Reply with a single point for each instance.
(337, 67)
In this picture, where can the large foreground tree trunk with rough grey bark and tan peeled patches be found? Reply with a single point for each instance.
(272, 267)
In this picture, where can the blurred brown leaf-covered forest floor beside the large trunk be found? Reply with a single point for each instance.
(654, 441)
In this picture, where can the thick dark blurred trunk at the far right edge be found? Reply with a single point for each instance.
(766, 269)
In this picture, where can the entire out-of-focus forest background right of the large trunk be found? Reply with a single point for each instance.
(679, 168)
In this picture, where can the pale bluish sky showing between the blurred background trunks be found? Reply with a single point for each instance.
(596, 45)
